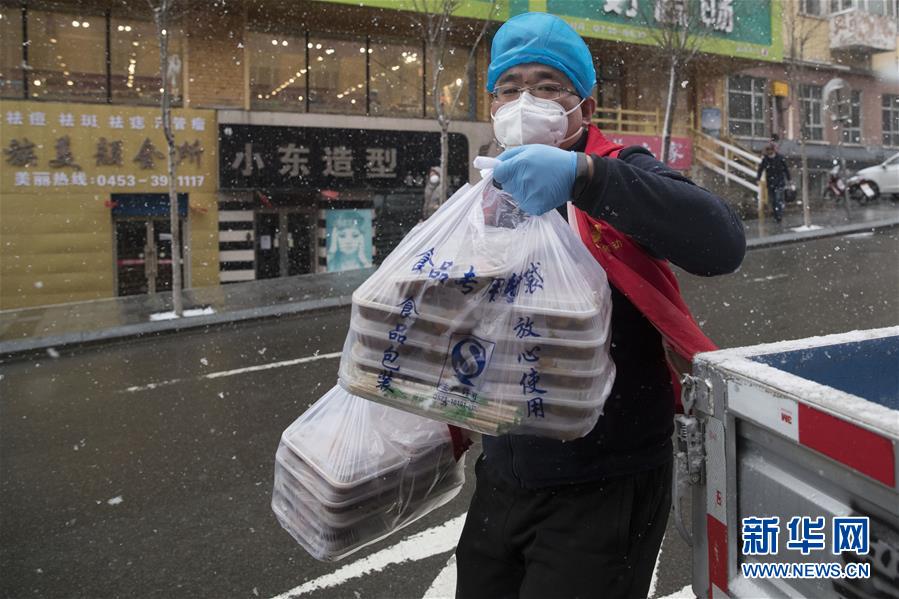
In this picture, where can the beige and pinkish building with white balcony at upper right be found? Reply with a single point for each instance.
(851, 40)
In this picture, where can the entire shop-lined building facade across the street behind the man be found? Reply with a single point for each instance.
(318, 130)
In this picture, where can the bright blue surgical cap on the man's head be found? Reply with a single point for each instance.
(544, 39)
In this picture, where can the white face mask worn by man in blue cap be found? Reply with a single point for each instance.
(530, 120)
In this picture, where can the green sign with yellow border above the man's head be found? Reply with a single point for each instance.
(744, 28)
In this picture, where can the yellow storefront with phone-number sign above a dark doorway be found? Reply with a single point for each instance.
(85, 208)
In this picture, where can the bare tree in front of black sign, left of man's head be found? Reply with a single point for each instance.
(435, 21)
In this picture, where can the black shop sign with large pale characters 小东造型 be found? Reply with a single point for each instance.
(287, 158)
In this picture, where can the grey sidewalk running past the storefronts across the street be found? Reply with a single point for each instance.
(48, 327)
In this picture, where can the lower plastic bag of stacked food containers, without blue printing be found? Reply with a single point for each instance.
(349, 472)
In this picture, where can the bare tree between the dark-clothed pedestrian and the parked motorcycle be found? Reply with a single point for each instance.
(800, 31)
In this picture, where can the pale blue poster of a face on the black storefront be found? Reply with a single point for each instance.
(348, 239)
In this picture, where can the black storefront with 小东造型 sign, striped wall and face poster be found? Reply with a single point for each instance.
(297, 200)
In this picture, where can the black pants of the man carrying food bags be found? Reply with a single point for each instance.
(597, 540)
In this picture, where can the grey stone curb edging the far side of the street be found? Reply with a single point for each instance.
(12, 348)
